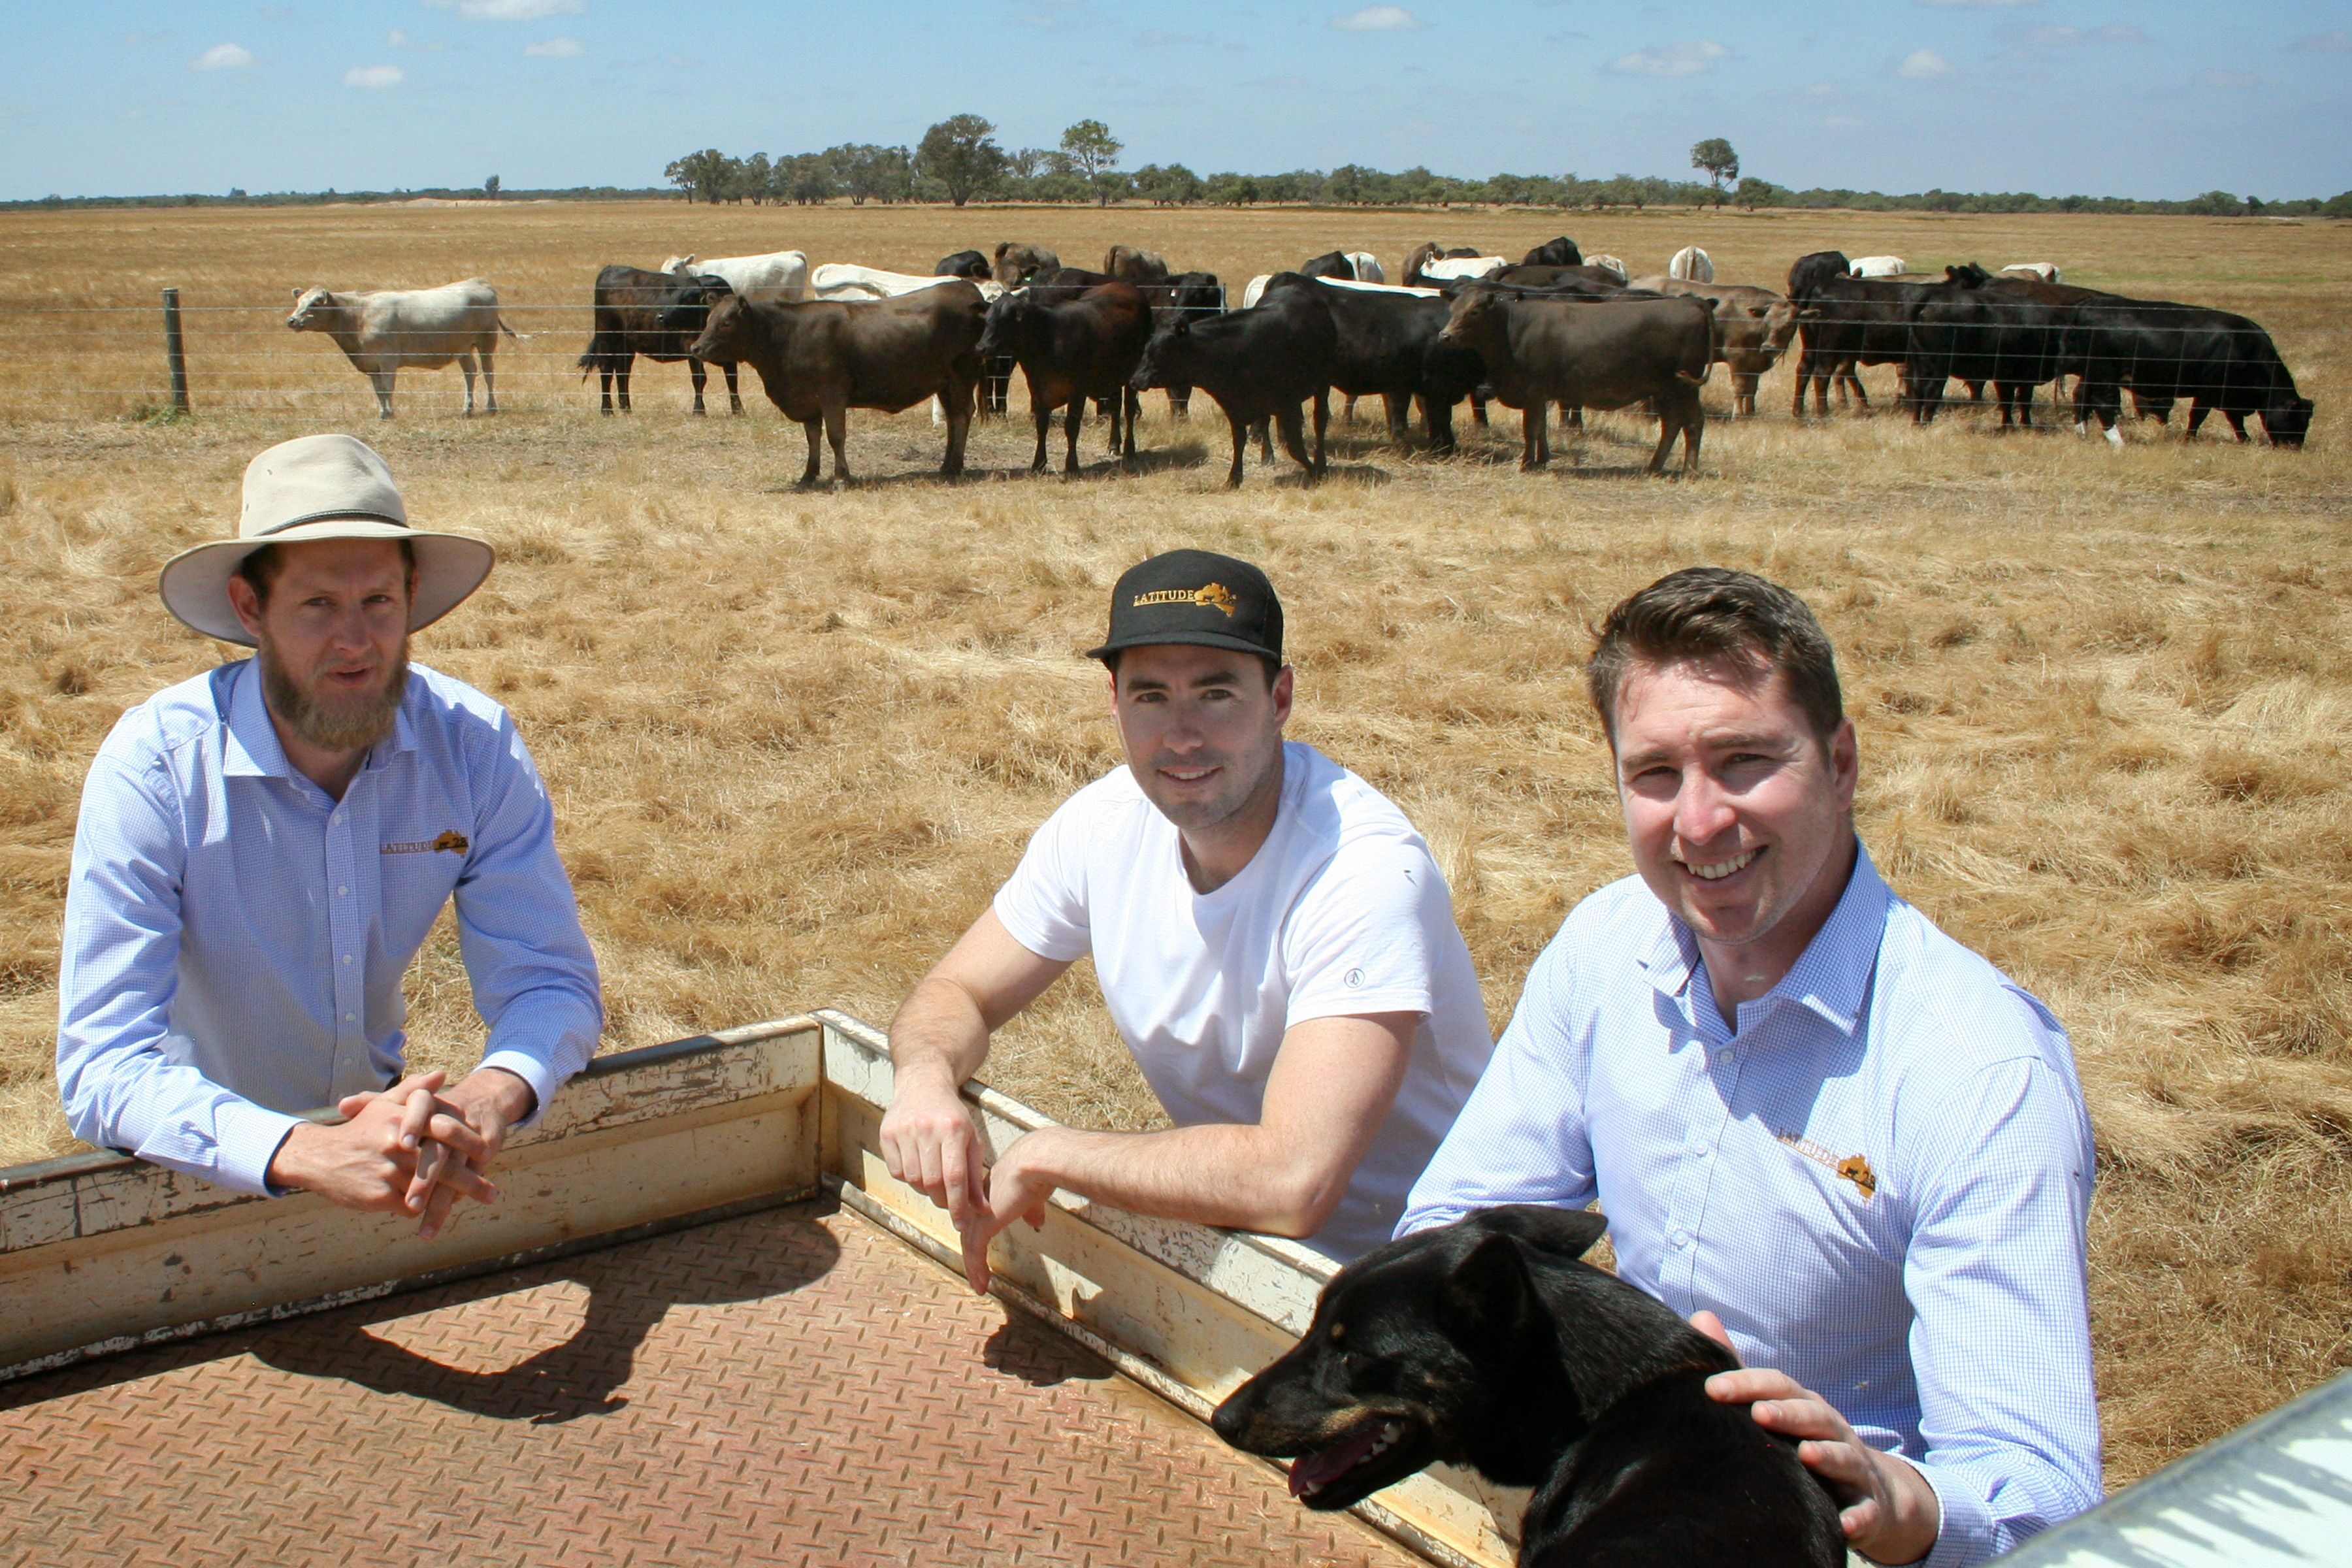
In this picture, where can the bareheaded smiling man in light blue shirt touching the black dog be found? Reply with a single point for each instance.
(1819, 1127)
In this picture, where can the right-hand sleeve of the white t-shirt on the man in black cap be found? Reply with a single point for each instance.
(1365, 934)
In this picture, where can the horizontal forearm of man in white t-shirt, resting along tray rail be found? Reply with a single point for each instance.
(1220, 1174)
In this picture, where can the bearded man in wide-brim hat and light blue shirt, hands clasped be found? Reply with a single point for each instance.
(262, 850)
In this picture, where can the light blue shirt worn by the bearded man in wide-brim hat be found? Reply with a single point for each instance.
(236, 939)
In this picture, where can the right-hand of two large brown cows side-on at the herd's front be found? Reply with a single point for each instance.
(1593, 354)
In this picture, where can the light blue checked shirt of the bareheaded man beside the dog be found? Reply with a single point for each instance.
(1878, 1179)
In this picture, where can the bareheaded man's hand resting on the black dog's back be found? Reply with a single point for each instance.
(1887, 1508)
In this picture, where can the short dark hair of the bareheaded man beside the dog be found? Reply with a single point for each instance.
(1711, 615)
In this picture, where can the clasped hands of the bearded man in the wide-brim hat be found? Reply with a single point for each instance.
(408, 1148)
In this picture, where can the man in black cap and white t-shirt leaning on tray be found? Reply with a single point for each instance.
(1271, 934)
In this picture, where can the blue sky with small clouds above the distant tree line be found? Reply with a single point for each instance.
(2153, 100)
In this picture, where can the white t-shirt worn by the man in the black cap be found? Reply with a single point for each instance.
(1339, 913)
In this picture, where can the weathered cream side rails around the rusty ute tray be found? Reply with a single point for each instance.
(102, 1252)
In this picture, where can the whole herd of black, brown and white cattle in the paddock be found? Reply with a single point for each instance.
(1553, 328)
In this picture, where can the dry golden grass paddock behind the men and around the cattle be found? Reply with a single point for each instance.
(796, 737)
